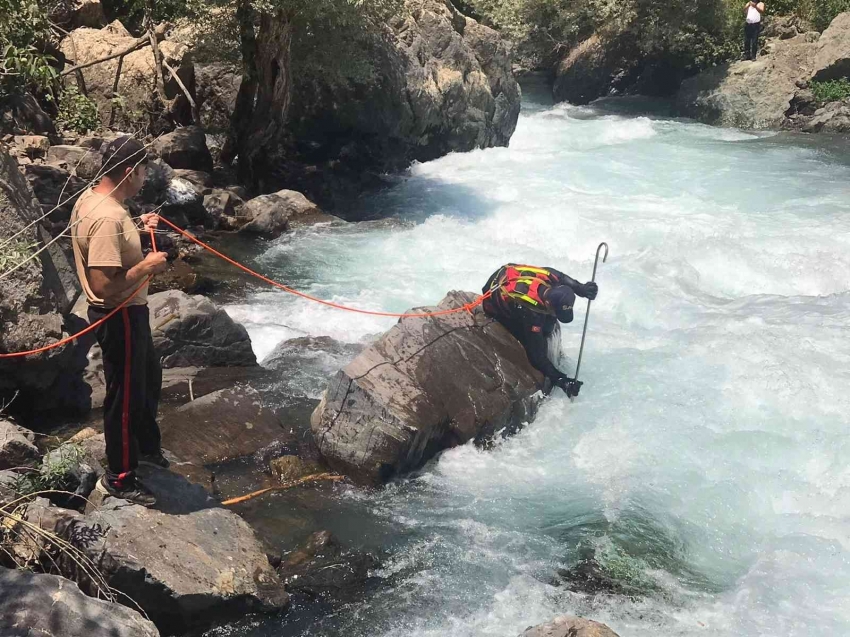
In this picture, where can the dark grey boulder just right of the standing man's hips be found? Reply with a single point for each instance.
(190, 331)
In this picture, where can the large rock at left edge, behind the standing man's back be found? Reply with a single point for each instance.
(32, 300)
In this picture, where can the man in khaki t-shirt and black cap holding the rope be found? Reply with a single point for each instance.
(112, 269)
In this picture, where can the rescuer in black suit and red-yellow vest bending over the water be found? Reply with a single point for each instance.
(528, 301)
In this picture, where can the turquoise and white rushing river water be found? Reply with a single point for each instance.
(706, 463)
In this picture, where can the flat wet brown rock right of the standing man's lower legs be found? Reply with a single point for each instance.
(225, 424)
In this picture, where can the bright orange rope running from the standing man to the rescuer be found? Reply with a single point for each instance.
(467, 307)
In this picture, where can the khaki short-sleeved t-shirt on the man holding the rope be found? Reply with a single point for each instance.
(105, 237)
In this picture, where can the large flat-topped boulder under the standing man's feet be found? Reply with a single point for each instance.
(188, 563)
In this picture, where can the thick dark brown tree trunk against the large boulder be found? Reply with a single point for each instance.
(264, 95)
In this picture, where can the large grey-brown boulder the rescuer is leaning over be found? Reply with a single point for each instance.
(428, 384)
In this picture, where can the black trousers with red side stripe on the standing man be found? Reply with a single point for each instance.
(133, 383)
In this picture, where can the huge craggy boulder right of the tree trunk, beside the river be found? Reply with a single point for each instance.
(442, 82)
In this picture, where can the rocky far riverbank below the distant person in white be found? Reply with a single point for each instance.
(773, 92)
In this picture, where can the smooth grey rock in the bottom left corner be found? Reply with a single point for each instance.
(50, 606)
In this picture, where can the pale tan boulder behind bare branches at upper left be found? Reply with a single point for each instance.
(135, 105)
